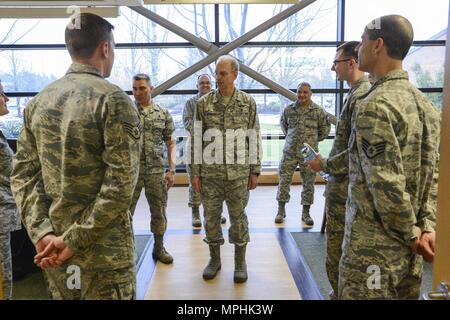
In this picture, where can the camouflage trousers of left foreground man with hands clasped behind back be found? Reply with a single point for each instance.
(117, 284)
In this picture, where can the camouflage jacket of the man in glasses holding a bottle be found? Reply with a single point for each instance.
(337, 162)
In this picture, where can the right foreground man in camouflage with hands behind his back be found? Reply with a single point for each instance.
(393, 156)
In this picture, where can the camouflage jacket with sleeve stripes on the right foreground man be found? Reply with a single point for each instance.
(393, 159)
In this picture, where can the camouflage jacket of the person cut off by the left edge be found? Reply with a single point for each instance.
(9, 218)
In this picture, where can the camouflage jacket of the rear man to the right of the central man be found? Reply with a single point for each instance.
(300, 125)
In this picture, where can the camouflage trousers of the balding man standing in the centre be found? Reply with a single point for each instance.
(235, 194)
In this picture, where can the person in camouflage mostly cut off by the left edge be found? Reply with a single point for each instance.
(9, 219)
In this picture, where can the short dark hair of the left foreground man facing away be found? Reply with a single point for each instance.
(84, 38)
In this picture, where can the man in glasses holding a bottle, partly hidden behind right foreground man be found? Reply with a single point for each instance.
(346, 67)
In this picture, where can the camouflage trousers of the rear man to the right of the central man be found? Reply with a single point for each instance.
(287, 167)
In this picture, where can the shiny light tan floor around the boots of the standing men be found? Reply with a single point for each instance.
(271, 275)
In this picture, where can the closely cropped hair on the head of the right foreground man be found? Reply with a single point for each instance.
(396, 32)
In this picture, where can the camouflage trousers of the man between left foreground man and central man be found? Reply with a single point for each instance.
(156, 194)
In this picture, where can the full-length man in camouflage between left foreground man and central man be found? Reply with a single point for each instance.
(158, 129)
